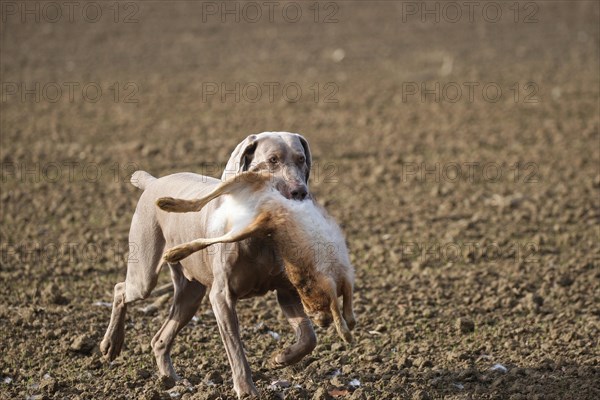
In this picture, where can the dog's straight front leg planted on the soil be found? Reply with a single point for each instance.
(223, 304)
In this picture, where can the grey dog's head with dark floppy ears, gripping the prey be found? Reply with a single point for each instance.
(286, 155)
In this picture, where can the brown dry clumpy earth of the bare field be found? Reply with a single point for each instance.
(473, 223)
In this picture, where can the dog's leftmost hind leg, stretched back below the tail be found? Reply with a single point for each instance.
(143, 266)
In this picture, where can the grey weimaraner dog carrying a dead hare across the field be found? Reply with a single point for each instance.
(229, 272)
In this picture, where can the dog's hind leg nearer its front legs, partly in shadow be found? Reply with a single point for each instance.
(187, 299)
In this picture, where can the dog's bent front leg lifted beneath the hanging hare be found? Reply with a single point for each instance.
(306, 339)
